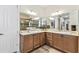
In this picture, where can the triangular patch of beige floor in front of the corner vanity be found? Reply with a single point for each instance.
(46, 49)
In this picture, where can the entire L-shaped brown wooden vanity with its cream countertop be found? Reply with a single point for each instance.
(63, 41)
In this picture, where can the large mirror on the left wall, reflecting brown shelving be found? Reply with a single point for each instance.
(28, 22)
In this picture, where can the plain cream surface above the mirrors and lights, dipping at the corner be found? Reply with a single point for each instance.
(47, 10)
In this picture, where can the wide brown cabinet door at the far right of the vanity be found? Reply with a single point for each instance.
(70, 43)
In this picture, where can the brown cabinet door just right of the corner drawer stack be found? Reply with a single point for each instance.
(57, 41)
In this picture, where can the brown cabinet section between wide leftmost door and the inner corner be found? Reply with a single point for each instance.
(39, 39)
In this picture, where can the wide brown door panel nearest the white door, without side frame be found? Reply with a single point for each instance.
(27, 43)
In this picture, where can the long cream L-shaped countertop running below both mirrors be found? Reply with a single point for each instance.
(25, 32)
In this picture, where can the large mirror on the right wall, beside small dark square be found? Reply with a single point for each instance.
(60, 22)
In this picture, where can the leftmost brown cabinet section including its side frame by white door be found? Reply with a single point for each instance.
(26, 43)
